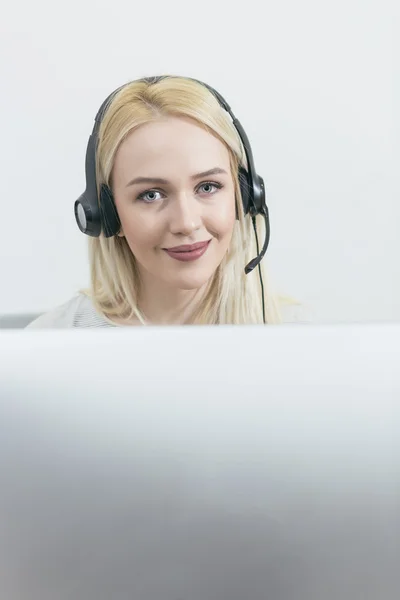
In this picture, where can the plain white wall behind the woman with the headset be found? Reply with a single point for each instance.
(312, 82)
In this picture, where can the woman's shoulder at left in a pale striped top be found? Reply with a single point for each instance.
(77, 312)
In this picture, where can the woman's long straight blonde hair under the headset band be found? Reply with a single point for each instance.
(232, 296)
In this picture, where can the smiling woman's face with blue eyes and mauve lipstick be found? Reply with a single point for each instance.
(175, 197)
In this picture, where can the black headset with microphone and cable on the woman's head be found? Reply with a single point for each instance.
(97, 214)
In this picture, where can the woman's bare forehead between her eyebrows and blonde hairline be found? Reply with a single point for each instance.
(170, 141)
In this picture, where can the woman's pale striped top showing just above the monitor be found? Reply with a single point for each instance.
(80, 312)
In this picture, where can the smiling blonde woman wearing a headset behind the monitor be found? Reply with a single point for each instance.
(170, 211)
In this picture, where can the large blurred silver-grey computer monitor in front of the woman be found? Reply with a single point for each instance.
(200, 463)
